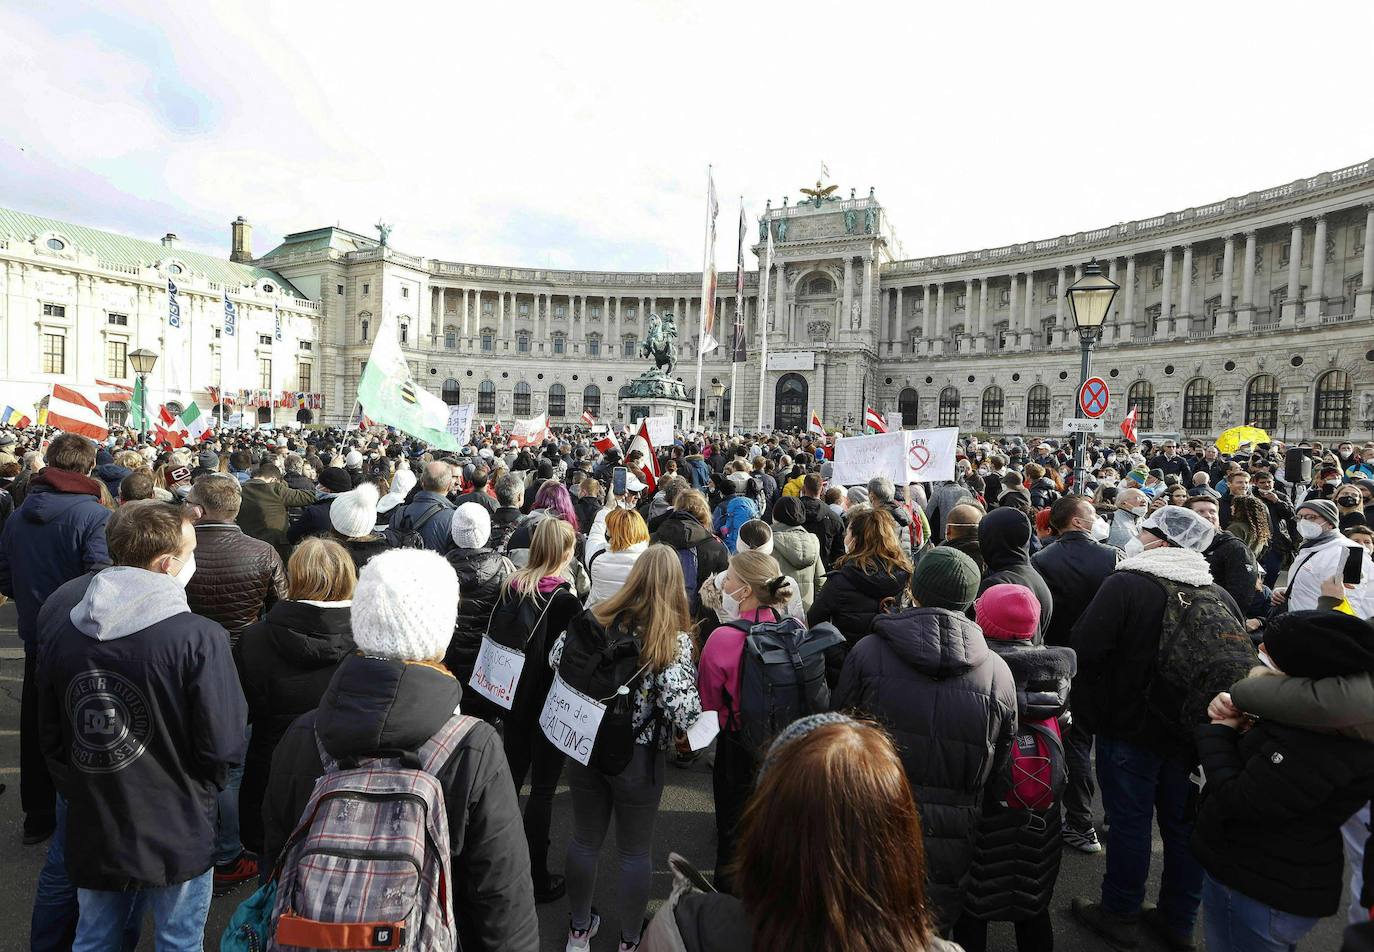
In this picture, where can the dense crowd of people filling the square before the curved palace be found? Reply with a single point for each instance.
(270, 661)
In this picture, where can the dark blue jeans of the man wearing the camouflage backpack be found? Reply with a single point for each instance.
(1140, 785)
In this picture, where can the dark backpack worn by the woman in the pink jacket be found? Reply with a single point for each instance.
(782, 677)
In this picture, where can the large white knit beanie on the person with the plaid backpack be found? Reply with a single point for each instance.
(405, 605)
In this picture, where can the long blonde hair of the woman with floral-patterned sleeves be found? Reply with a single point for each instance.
(653, 604)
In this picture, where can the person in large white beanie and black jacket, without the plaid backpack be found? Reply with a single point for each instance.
(395, 696)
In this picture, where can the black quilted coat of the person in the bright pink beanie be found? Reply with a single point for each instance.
(1016, 858)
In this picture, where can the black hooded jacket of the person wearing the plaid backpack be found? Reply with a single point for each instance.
(377, 705)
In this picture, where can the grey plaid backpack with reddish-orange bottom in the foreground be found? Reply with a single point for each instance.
(369, 865)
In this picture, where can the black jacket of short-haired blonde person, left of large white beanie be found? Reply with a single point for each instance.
(285, 664)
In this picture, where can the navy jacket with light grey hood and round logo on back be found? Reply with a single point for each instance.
(141, 719)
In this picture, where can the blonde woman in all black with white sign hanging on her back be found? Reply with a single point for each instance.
(513, 675)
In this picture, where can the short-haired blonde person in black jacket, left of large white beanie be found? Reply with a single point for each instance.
(286, 661)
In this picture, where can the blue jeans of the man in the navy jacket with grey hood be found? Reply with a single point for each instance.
(179, 916)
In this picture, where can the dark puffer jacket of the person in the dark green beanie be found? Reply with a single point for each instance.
(951, 708)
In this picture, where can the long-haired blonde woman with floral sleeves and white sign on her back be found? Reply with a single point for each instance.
(652, 608)
